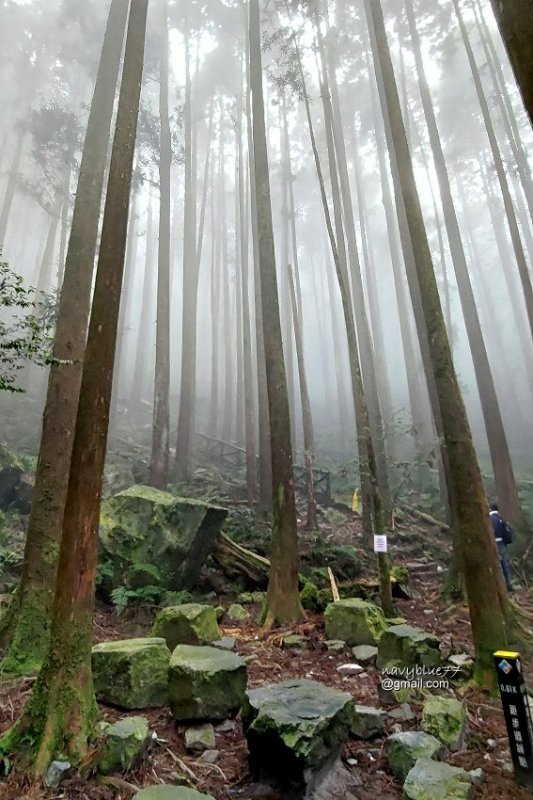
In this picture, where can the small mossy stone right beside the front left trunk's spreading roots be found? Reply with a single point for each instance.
(125, 742)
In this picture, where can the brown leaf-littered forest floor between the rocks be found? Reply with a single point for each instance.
(167, 761)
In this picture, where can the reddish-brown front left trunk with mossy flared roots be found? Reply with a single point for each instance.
(61, 710)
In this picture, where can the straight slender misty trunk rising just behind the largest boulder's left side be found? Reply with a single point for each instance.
(159, 463)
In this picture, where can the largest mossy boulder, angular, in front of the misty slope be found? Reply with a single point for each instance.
(151, 537)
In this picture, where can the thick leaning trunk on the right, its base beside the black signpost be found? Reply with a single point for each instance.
(484, 582)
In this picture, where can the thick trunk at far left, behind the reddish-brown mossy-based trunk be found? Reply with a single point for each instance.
(27, 624)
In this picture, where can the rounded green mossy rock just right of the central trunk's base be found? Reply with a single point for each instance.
(354, 621)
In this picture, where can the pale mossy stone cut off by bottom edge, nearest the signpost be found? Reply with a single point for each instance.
(433, 780)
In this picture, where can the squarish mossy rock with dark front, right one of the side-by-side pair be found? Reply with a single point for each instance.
(205, 683)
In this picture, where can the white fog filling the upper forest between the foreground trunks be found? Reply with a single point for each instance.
(196, 238)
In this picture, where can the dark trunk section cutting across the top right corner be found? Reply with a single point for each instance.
(516, 27)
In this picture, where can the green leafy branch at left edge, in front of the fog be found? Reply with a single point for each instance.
(25, 337)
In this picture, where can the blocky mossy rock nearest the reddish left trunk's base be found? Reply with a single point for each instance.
(132, 673)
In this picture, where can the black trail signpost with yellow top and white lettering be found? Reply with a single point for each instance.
(517, 713)
